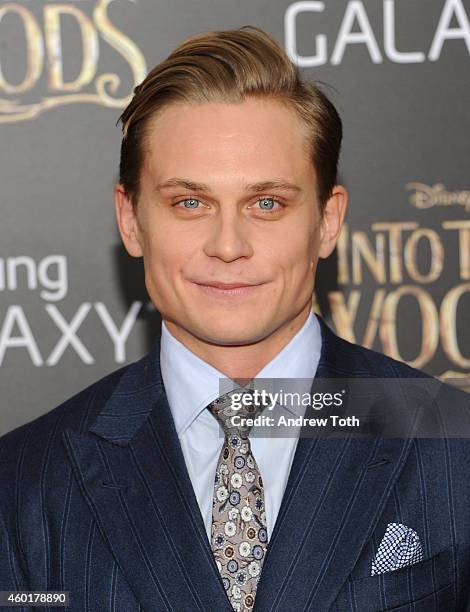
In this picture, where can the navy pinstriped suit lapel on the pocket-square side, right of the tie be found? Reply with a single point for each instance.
(336, 491)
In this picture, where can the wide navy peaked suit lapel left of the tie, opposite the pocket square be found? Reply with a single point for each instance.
(131, 471)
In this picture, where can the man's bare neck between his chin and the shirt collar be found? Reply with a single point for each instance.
(241, 363)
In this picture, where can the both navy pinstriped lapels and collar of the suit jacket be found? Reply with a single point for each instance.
(132, 473)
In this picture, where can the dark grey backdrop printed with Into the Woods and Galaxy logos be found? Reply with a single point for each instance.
(73, 306)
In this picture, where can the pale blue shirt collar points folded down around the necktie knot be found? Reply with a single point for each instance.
(191, 383)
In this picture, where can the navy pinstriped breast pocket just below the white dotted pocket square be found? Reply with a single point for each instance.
(427, 586)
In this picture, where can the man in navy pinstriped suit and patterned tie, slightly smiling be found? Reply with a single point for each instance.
(133, 494)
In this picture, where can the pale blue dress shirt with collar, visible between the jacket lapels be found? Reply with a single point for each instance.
(191, 384)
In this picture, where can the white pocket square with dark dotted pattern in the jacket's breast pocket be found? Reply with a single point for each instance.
(399, 547)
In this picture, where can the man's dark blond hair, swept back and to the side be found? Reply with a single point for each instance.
(229, 66)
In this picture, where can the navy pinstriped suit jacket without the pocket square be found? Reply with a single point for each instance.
(95, 499)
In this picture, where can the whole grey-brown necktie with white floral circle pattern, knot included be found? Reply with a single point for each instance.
(239, 536)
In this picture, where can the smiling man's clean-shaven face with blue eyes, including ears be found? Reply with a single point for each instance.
(228, 196)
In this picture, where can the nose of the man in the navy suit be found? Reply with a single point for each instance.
(228, 237)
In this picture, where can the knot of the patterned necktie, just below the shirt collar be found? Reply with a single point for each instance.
(237, 403)
